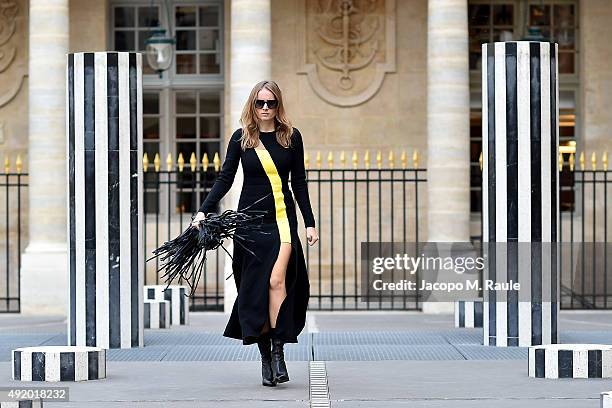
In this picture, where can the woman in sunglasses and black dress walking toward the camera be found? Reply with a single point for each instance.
(273, 286)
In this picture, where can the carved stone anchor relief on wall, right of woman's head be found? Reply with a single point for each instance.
(346, 47)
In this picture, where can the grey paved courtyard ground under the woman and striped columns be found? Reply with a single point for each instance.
(373, 359)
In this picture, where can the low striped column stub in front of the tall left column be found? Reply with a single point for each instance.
(59, 363)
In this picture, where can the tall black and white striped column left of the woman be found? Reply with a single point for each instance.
(105, 208)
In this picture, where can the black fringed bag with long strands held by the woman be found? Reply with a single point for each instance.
(183, 257)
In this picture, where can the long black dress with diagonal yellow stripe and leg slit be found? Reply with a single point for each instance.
(266, 174)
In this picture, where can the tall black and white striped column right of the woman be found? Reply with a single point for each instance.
(520, 190)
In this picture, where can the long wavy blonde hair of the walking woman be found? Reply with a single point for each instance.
(250, 122)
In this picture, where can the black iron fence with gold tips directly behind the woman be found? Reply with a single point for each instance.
(350, 206)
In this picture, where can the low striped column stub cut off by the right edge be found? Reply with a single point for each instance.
(570, 361)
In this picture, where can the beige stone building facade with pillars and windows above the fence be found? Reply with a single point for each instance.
(410, 82)
